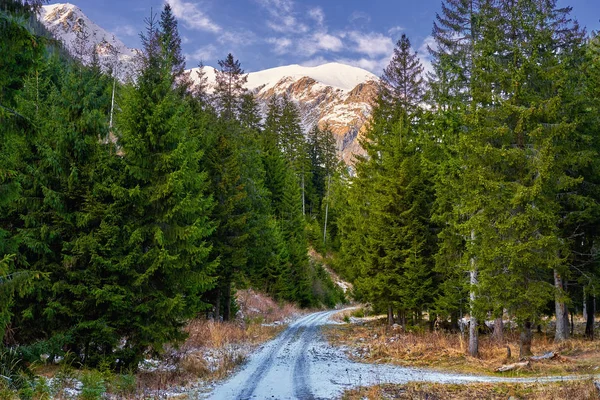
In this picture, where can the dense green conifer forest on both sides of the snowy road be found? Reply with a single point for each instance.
(130, 206)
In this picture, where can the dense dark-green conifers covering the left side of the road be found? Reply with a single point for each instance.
(127, 209)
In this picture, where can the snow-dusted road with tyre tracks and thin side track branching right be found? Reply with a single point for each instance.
(299, 364)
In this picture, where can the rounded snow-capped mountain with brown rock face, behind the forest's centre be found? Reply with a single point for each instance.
(332, 94)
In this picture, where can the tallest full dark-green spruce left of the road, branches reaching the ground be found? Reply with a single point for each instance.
(164, 195)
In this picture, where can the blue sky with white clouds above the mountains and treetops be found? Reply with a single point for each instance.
(271, 33)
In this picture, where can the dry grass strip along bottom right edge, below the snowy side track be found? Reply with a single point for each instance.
(581, 390)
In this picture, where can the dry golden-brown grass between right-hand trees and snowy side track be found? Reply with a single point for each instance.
(372, 340)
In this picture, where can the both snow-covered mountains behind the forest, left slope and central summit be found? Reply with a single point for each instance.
(336, 94)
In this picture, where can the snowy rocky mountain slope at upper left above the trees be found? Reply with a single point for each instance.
(66, 20)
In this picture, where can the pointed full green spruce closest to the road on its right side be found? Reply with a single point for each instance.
(390, 193)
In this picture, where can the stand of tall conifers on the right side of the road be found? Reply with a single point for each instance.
(479, 194)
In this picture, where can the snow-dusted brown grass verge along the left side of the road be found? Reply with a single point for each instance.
(210, 353)
